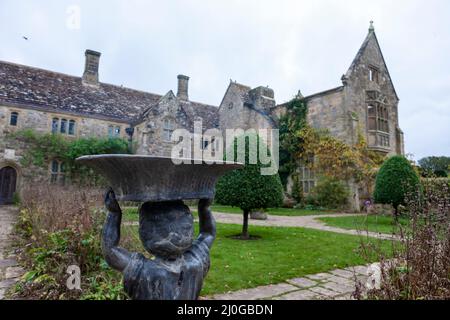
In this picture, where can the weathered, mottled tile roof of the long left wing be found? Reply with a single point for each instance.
(34, 88)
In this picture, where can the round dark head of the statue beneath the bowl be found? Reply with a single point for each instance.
(166, 228)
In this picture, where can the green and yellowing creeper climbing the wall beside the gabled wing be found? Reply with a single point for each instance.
(333, 158)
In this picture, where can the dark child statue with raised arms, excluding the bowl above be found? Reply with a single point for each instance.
(166, 231)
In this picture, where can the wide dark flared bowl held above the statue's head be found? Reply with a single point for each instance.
(156, 179)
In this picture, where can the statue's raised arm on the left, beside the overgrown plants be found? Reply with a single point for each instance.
(118, 258)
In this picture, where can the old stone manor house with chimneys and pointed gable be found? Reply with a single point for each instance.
(72, 106)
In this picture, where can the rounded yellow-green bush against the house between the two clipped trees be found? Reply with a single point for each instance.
(331, 193)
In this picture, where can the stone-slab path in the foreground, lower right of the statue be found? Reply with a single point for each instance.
(338, 284)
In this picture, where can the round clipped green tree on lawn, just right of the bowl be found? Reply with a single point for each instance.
(247, 188)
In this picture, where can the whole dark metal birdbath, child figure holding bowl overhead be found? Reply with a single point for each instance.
(180, 263)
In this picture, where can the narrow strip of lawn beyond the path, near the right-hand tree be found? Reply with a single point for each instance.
(373, 223)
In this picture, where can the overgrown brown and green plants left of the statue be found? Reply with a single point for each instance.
(59, 227)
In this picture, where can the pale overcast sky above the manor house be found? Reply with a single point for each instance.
(287, 45)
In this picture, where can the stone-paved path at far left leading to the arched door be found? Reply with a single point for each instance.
(10, 272)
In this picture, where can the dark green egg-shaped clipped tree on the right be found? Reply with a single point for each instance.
(395, 180)
